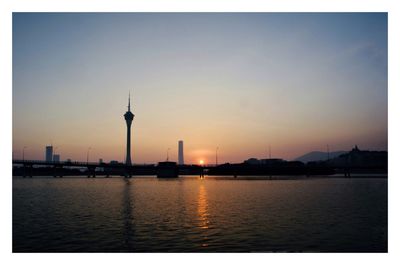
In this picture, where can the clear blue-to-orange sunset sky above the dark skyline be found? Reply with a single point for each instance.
(242, 82)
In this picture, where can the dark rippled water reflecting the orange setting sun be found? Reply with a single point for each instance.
(146, 214)
